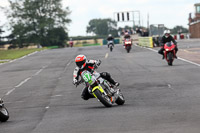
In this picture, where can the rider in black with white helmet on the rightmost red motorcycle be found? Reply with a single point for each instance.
(167, 38)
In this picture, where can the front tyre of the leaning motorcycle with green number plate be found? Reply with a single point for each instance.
(105, 100)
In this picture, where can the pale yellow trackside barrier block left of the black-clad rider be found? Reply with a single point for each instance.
(146, 41)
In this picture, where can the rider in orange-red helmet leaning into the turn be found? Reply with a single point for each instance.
(89, 65)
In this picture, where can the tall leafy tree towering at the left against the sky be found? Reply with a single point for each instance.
(32, 20)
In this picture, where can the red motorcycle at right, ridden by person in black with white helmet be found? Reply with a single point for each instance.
(169, 52)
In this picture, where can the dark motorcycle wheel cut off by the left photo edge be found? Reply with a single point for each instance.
(4, 115)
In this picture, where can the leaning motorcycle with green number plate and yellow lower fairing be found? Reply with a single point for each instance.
(101, 89)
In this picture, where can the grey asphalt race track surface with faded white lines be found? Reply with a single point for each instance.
(41, 98)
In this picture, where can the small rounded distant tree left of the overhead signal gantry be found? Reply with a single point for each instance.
(102, 27)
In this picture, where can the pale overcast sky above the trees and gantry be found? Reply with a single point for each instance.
(167, 12)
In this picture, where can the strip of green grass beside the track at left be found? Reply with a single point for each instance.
(16, 53)
